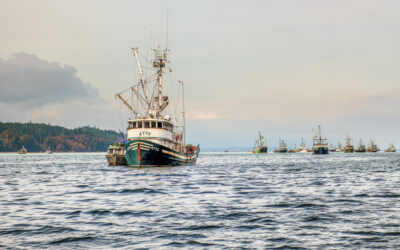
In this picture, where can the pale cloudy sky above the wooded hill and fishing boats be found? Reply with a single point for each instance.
(280, 66)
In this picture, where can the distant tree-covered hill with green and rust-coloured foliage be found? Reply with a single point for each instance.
(36, 137)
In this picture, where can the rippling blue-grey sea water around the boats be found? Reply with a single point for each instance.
(227, 200)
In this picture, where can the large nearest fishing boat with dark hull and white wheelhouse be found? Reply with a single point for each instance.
(157, 134)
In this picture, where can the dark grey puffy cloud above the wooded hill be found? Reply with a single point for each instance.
(30, 80)
